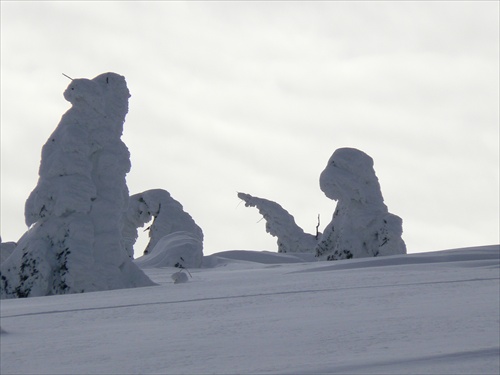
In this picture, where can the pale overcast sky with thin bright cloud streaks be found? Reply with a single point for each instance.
(256, 96)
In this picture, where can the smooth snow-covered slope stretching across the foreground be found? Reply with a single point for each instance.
(261, 312)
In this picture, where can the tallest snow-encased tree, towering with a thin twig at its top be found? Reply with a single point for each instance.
(75, 213)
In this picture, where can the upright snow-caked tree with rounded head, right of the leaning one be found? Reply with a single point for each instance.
(361, 225)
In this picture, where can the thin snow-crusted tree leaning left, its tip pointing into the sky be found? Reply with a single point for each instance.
(280, 224)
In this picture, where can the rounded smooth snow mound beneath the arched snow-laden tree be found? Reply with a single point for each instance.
(179, 249)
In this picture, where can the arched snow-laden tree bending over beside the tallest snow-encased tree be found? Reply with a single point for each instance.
(169, 217)
